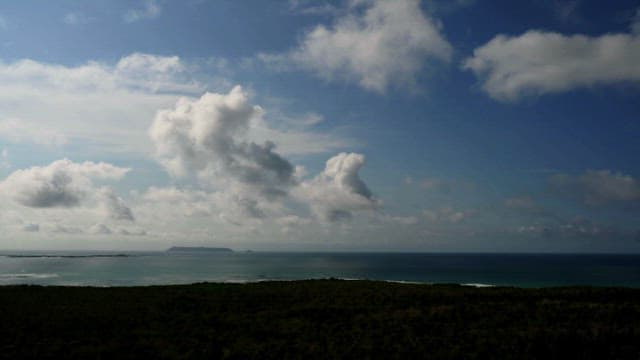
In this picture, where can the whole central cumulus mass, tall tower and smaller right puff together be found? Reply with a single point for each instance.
(245, 182)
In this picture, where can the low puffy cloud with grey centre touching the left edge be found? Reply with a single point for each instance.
(64, 197)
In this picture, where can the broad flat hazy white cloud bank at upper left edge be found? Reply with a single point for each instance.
(54, 104)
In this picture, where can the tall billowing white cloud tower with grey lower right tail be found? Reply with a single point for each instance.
(207, 137)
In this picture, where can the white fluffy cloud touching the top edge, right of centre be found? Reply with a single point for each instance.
(375, 44)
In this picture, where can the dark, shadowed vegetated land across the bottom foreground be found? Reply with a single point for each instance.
(319, 319)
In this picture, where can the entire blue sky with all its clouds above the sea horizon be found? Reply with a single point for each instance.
(354, 125)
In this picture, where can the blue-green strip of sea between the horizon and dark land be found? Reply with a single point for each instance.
(163, 268)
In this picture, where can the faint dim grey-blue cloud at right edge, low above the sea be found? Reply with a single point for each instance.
(599, 187)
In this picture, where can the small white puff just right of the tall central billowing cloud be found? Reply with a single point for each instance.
(338, 191)
